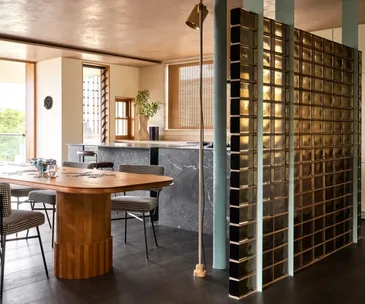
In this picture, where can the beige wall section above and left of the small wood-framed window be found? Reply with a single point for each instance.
(124, 82)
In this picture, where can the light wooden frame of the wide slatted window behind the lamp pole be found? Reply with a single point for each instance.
(173, 88)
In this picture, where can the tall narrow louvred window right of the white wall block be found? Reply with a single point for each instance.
(95, 101)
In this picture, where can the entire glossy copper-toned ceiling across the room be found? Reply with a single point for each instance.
(148, 29)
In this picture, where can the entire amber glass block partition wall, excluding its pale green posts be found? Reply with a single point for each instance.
(324, 122)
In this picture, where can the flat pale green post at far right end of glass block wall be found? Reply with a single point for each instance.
(350, 37)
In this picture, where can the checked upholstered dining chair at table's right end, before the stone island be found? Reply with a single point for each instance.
(141, 205)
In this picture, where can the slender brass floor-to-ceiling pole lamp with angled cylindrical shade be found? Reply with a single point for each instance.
(195, 21)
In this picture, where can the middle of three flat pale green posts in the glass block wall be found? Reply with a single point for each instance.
(284, 12)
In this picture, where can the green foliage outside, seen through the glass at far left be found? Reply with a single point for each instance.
(11, 121)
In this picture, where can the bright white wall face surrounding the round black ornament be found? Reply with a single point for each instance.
(49, 122)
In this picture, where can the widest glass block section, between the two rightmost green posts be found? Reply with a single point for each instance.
(323, 143)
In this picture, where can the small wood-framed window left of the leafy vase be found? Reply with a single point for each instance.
(124, 118)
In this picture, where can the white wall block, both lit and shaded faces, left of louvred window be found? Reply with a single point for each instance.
(60, 78)
